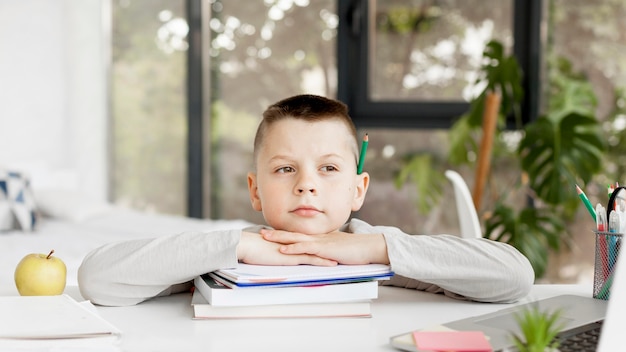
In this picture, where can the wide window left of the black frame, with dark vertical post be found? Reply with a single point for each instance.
(190, 79)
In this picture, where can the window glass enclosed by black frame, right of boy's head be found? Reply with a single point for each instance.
(424, 50)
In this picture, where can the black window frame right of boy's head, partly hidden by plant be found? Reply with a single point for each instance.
(353, 73)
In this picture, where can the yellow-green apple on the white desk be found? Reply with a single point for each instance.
(40, 275)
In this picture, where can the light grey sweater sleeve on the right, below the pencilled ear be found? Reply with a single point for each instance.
(474, 269)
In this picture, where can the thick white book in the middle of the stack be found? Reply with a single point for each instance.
(218, 294)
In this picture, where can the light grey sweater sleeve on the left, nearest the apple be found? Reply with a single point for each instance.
(126, 273)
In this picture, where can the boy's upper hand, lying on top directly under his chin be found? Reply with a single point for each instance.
(341, 247)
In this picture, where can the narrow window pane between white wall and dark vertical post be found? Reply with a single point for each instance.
(148, 105)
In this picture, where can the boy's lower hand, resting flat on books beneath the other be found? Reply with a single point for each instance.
(253, 249)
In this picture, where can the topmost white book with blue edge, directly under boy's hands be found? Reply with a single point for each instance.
(250, 275)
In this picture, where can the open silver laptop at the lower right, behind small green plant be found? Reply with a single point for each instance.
(579, 314)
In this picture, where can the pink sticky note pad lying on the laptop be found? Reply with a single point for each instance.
(458, 341)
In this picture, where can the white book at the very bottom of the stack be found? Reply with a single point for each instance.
(203, 310)
